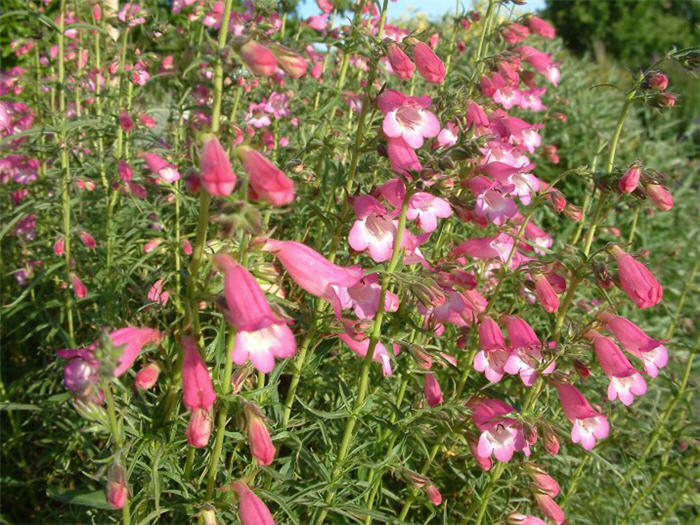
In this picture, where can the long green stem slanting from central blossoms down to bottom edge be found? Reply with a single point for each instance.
(367, 361)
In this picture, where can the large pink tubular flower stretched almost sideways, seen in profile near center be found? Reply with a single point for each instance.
(313, 272)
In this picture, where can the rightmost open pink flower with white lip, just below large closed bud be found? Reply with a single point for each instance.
(651, 351)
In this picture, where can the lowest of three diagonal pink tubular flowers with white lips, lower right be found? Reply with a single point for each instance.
(588, 425)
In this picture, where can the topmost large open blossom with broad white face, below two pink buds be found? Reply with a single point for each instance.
(407, 117)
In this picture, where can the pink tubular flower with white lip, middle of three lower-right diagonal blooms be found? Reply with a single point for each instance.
(625, 381)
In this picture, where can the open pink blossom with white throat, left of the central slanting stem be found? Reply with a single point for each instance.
(374, 229)
